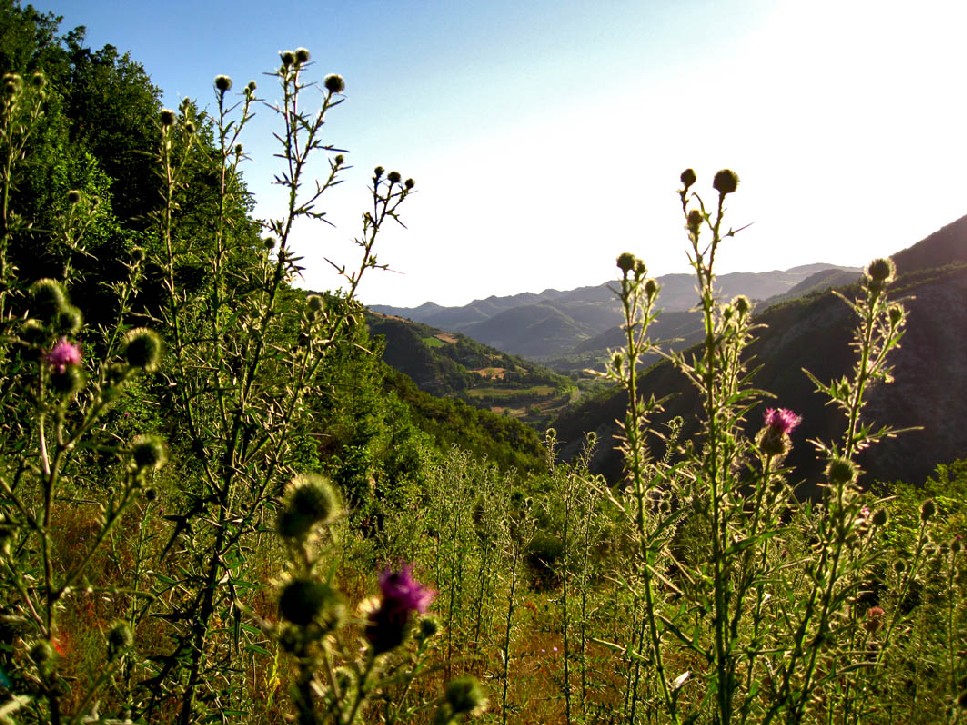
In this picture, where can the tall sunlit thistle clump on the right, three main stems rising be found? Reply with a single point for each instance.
(757, 629)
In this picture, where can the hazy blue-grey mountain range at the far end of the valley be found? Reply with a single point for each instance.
(567, 330)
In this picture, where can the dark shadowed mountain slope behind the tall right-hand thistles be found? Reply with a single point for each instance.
(814, 332)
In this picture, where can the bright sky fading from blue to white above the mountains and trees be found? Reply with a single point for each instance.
(546, 137)
